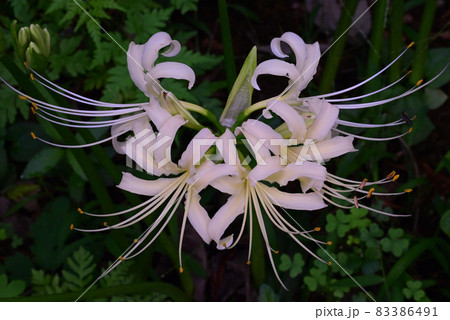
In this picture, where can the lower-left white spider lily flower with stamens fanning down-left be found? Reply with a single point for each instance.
(166, 195)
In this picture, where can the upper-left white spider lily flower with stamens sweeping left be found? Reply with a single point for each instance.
(143, 72)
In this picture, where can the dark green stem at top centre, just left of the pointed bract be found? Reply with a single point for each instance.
(230, 66)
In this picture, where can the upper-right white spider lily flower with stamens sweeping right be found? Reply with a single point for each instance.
(307, 59)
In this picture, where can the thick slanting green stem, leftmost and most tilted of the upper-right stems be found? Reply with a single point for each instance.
(335, 53)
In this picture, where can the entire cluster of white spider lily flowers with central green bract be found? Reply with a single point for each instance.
(246, 159)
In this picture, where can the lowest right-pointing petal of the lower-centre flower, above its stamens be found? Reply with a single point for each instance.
(295, 201)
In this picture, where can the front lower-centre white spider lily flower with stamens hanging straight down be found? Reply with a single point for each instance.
(248, 193)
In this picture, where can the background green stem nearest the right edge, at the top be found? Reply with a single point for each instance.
(422, 42)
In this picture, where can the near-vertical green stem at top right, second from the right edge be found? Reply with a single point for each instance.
(395, 38)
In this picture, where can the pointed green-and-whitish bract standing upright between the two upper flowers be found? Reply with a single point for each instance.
(240, 96)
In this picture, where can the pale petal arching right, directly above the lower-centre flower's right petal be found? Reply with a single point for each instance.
(294, 171)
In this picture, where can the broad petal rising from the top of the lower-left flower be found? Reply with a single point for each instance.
(197, 148)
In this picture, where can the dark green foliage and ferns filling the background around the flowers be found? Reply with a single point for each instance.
(394, 259)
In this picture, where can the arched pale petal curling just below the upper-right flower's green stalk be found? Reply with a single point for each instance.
(293, 119)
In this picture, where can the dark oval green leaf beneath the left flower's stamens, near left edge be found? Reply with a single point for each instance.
(42, 162)
